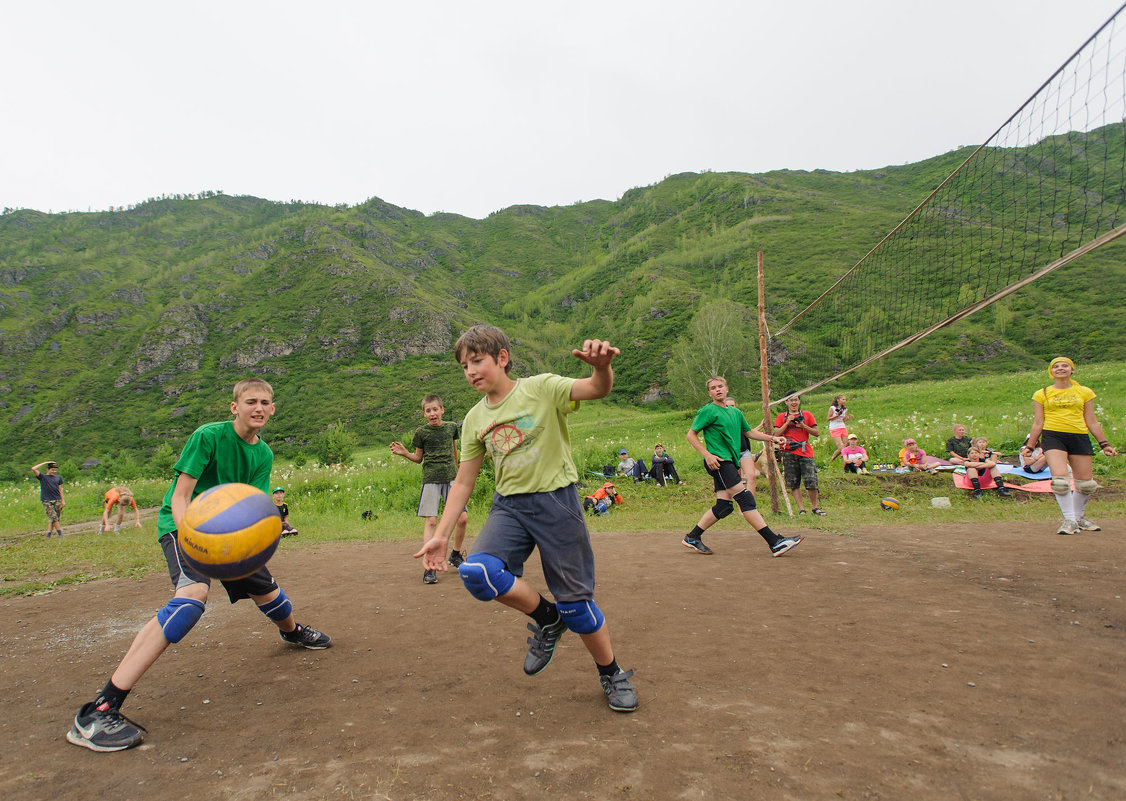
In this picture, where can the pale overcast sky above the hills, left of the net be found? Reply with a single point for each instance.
(470, 108)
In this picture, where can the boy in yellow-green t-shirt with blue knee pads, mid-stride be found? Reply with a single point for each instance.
(522, 425)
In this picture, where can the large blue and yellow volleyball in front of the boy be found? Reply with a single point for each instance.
(230, 531)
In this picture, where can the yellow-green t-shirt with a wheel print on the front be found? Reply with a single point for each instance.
(526, 435)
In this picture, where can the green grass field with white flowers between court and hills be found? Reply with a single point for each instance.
(326, 503)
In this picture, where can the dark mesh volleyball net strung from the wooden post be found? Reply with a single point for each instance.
(1048, 188)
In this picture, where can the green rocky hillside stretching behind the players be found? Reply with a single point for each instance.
(122, 331)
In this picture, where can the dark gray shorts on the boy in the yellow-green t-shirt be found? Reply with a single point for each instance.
(552, 522)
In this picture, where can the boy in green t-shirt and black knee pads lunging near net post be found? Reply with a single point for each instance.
(722, 428)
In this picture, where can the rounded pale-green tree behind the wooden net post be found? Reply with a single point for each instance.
(722, 340)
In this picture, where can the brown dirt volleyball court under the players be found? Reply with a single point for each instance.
(915, 663)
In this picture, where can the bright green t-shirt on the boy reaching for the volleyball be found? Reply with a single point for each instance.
(215, 456)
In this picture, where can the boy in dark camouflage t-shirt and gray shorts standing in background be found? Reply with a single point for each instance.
(436, 450)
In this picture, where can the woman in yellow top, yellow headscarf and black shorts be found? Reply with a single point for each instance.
(1064, 415)
